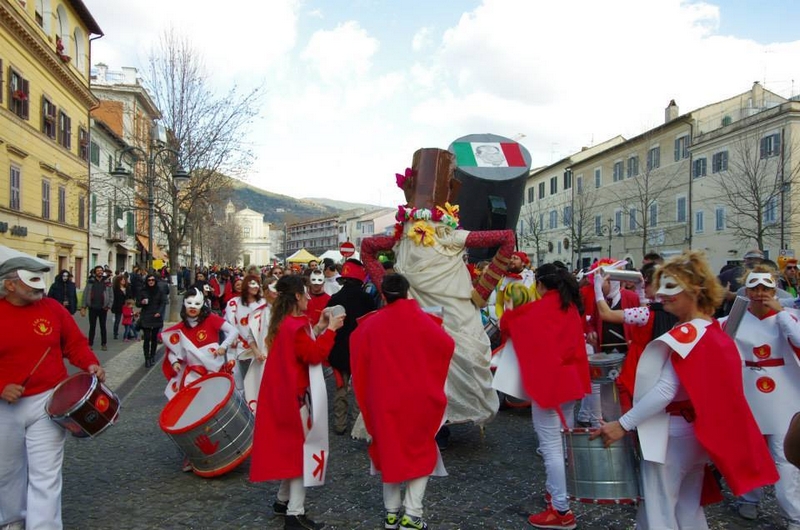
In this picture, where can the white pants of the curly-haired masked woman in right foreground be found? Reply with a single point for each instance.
(671, 491)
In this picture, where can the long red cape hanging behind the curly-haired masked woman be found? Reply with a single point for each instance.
(724, 425)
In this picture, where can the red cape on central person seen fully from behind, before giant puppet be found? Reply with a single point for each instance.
(401, 340)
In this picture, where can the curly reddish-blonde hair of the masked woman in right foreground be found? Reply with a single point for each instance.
(693, 273)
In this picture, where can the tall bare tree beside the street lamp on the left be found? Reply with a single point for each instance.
(204, 127)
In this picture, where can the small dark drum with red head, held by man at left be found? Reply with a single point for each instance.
(83, 405)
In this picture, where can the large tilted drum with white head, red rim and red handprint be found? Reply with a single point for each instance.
(211, 423)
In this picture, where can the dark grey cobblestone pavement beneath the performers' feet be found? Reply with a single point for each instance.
(129, 477)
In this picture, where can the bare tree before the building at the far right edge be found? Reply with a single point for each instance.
(753, 184)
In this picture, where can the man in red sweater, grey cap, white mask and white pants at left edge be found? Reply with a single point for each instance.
(31, 366)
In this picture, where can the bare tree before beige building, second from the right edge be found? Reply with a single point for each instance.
(643, 186)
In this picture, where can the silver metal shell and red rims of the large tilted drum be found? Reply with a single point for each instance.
(230, 424)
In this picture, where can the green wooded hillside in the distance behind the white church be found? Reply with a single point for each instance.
(277, 209)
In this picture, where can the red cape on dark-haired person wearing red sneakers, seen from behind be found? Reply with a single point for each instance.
(551, 350)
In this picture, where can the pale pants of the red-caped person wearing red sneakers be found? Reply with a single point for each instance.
(548, 427)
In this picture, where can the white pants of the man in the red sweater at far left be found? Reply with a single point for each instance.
(31, 455)
